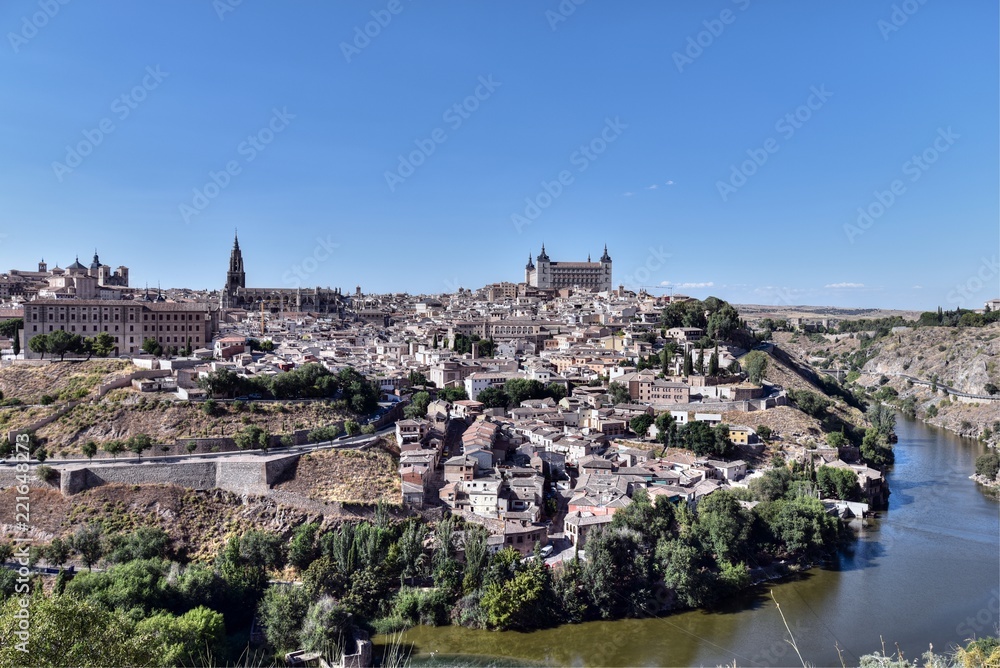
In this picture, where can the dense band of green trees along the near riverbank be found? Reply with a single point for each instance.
(152, 606)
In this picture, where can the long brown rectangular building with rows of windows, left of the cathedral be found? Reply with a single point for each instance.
(129, 322)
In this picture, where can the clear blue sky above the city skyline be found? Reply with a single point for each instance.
(728, 147)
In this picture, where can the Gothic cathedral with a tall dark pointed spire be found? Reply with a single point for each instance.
(236, 295)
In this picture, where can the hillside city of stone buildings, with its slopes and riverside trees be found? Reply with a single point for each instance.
(535, 422)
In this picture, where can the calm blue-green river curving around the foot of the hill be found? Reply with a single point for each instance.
(927, 571)
